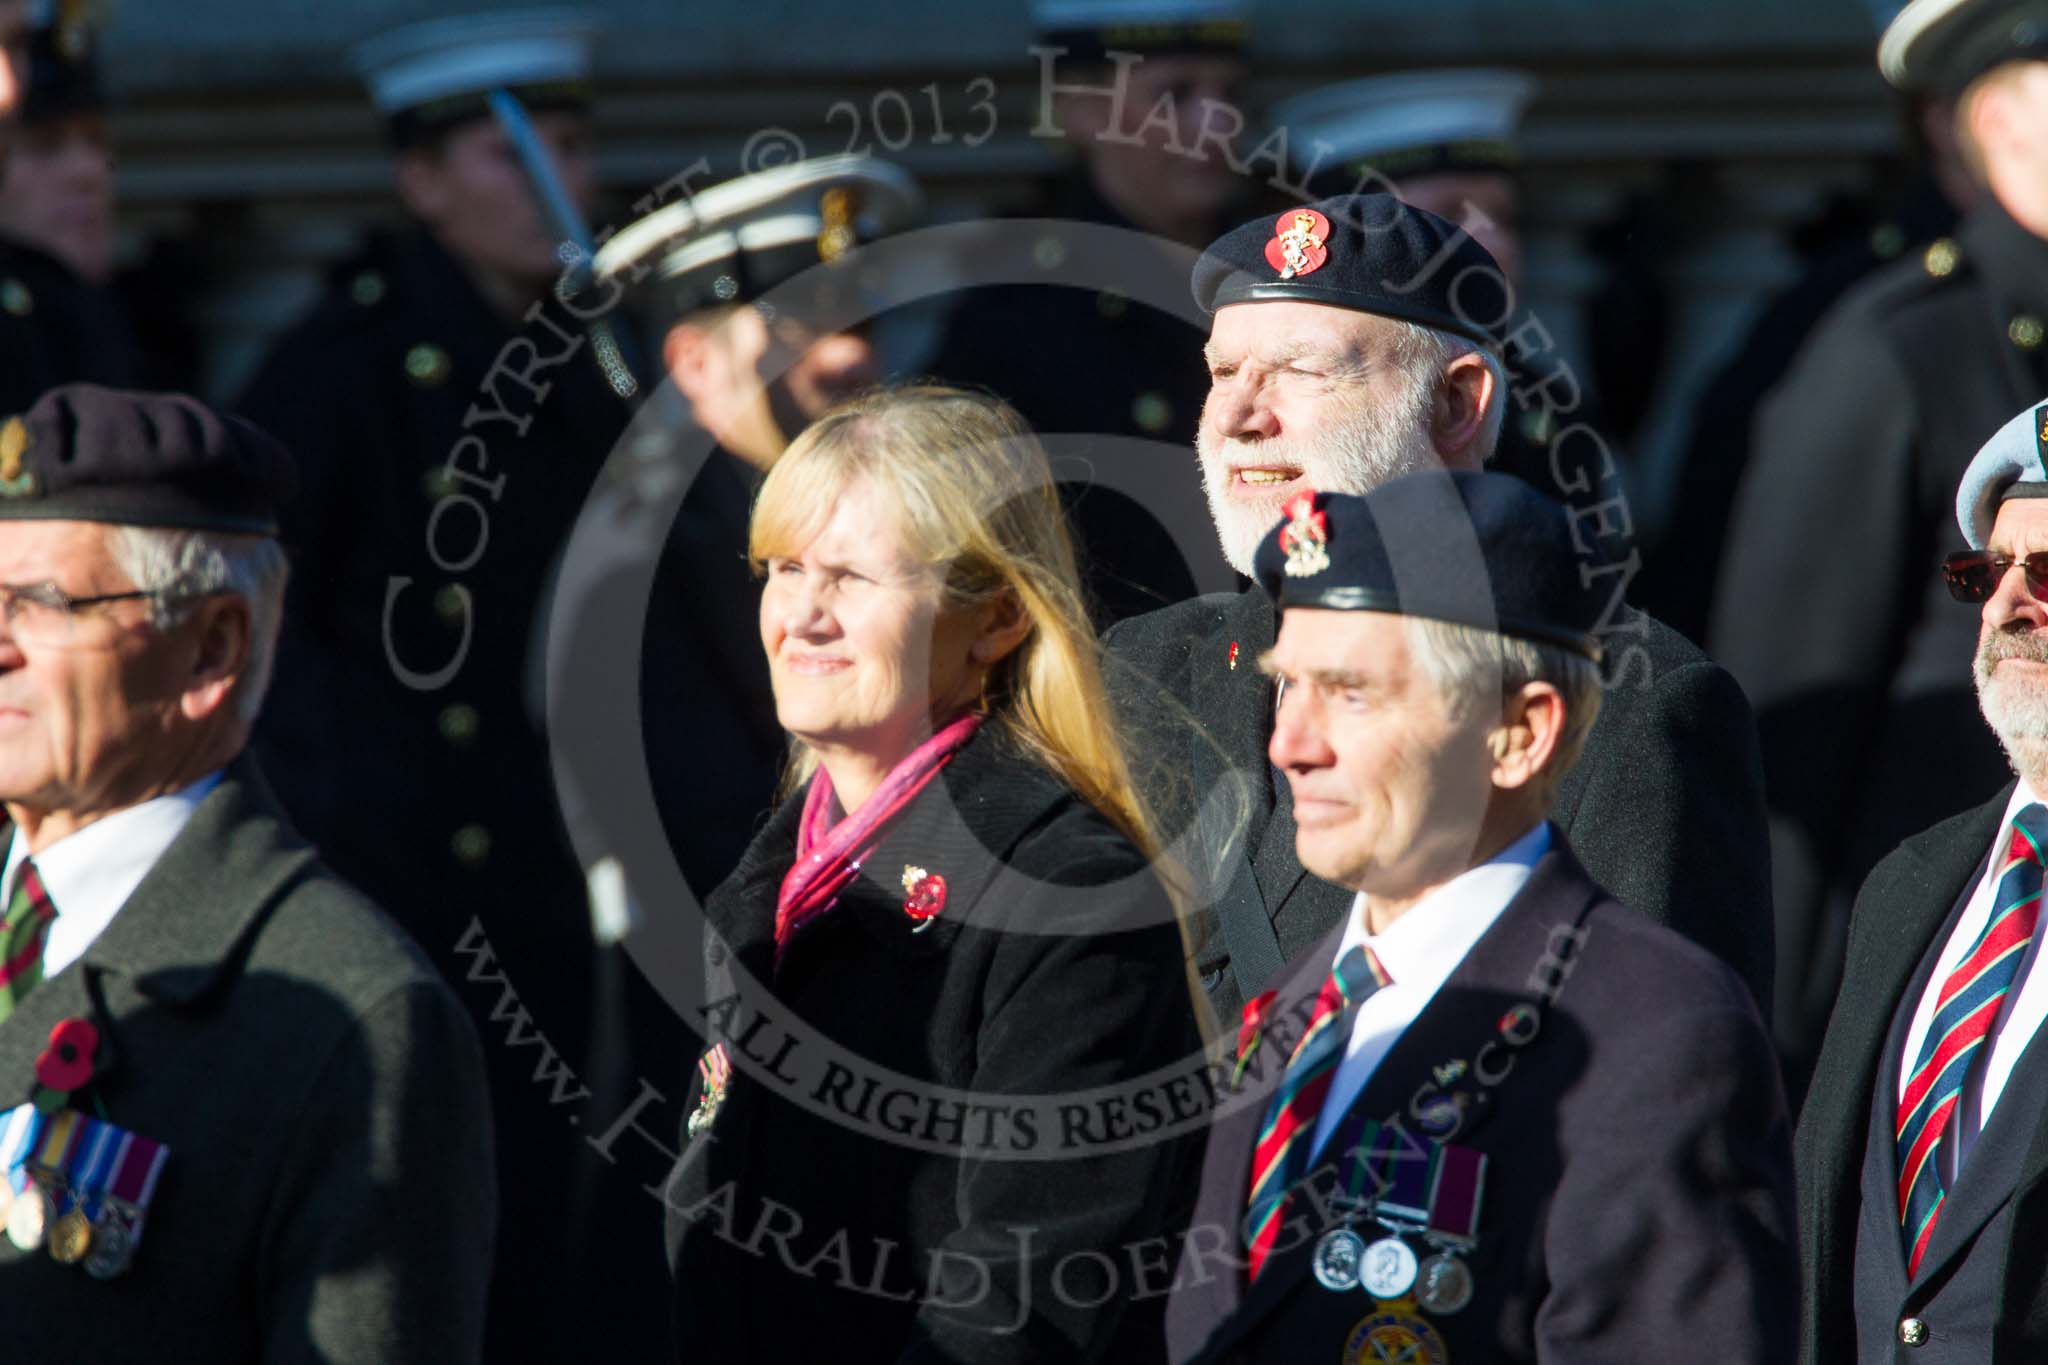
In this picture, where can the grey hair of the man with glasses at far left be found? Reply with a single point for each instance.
(185, 566)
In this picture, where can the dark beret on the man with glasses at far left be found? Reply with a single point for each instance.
(140, 459)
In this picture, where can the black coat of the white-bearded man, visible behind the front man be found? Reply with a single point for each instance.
(1666, 803)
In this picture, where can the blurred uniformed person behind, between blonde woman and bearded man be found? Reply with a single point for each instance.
(1136, 93)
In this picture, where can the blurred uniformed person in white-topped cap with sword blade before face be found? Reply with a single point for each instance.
(450, 419)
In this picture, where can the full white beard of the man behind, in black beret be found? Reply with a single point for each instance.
(1363, 447)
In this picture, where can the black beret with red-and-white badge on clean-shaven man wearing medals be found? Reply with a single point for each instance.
(1476, 549)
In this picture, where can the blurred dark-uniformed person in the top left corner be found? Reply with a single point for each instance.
(58, 318)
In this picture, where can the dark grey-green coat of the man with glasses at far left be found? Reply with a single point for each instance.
(329, 1192)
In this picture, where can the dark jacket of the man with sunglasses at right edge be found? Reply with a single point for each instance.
(1981, 1290)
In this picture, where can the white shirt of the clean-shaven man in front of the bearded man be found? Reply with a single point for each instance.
(1420, 953)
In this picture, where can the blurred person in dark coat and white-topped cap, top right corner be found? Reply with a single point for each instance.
(1871, 728)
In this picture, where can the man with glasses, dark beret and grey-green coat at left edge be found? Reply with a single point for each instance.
(251, 1120)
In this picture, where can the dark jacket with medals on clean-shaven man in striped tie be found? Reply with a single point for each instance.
(1639, 1192)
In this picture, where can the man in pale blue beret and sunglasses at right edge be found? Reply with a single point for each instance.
(1924, 1143)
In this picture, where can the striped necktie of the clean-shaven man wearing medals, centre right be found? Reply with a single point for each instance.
(1289, 1133)
